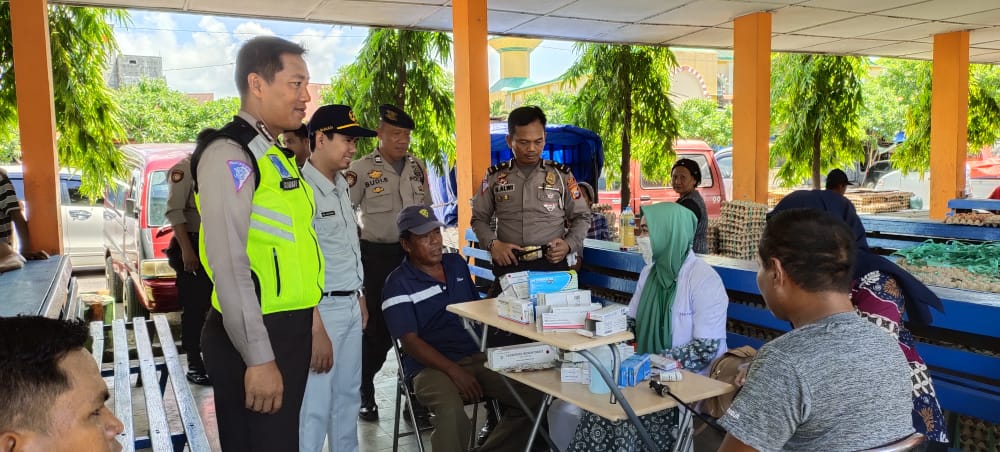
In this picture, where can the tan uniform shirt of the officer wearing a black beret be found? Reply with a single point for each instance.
(380, 193)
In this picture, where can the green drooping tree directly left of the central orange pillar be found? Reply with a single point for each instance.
(404, 68)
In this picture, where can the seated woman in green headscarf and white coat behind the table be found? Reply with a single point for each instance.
(679, 308)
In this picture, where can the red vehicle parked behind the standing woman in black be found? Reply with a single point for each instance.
(645, 191)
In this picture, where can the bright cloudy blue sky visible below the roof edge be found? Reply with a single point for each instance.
(198, 51)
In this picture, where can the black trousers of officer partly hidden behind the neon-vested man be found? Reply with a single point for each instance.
(194, 292)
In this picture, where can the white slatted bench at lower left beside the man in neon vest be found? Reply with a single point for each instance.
(158, 369)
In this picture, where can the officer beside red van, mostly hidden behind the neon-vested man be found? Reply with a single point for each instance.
(194, 289)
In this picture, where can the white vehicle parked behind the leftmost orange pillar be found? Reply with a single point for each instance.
(82, 219)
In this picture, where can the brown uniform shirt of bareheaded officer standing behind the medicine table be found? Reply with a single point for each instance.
(531, 208)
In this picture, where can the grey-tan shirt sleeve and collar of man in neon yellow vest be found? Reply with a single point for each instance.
(226, 197)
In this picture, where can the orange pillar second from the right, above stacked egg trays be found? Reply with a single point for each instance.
(751, 106)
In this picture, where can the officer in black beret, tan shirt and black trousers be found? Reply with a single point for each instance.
(382, 184)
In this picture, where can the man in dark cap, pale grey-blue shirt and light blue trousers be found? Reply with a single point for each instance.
(332, 395)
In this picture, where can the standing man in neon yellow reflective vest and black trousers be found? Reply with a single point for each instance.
(259, 247)
